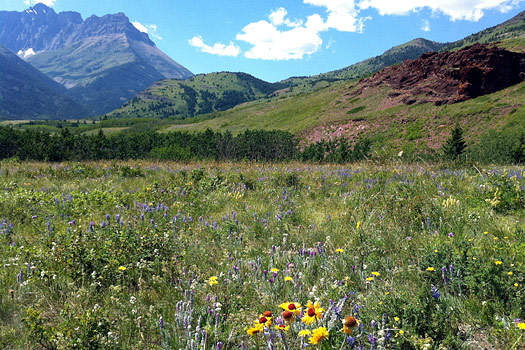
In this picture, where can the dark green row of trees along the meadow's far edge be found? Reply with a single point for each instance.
(253, 145)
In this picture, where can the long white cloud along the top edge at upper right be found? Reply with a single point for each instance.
(471, 10)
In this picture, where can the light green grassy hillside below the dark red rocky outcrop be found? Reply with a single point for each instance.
(334, 111)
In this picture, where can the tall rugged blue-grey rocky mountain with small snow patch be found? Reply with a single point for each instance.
(102, 61)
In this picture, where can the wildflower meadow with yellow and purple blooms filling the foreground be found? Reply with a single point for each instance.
(144, 255)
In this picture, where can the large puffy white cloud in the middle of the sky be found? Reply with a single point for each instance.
(270, 43)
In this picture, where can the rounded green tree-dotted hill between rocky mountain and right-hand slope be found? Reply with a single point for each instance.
(200, 94)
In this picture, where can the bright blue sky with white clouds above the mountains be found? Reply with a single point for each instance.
(276, 39)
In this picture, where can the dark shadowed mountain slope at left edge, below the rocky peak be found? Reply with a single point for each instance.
(27, 93)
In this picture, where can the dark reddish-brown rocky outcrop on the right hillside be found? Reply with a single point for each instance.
(450, 77)
